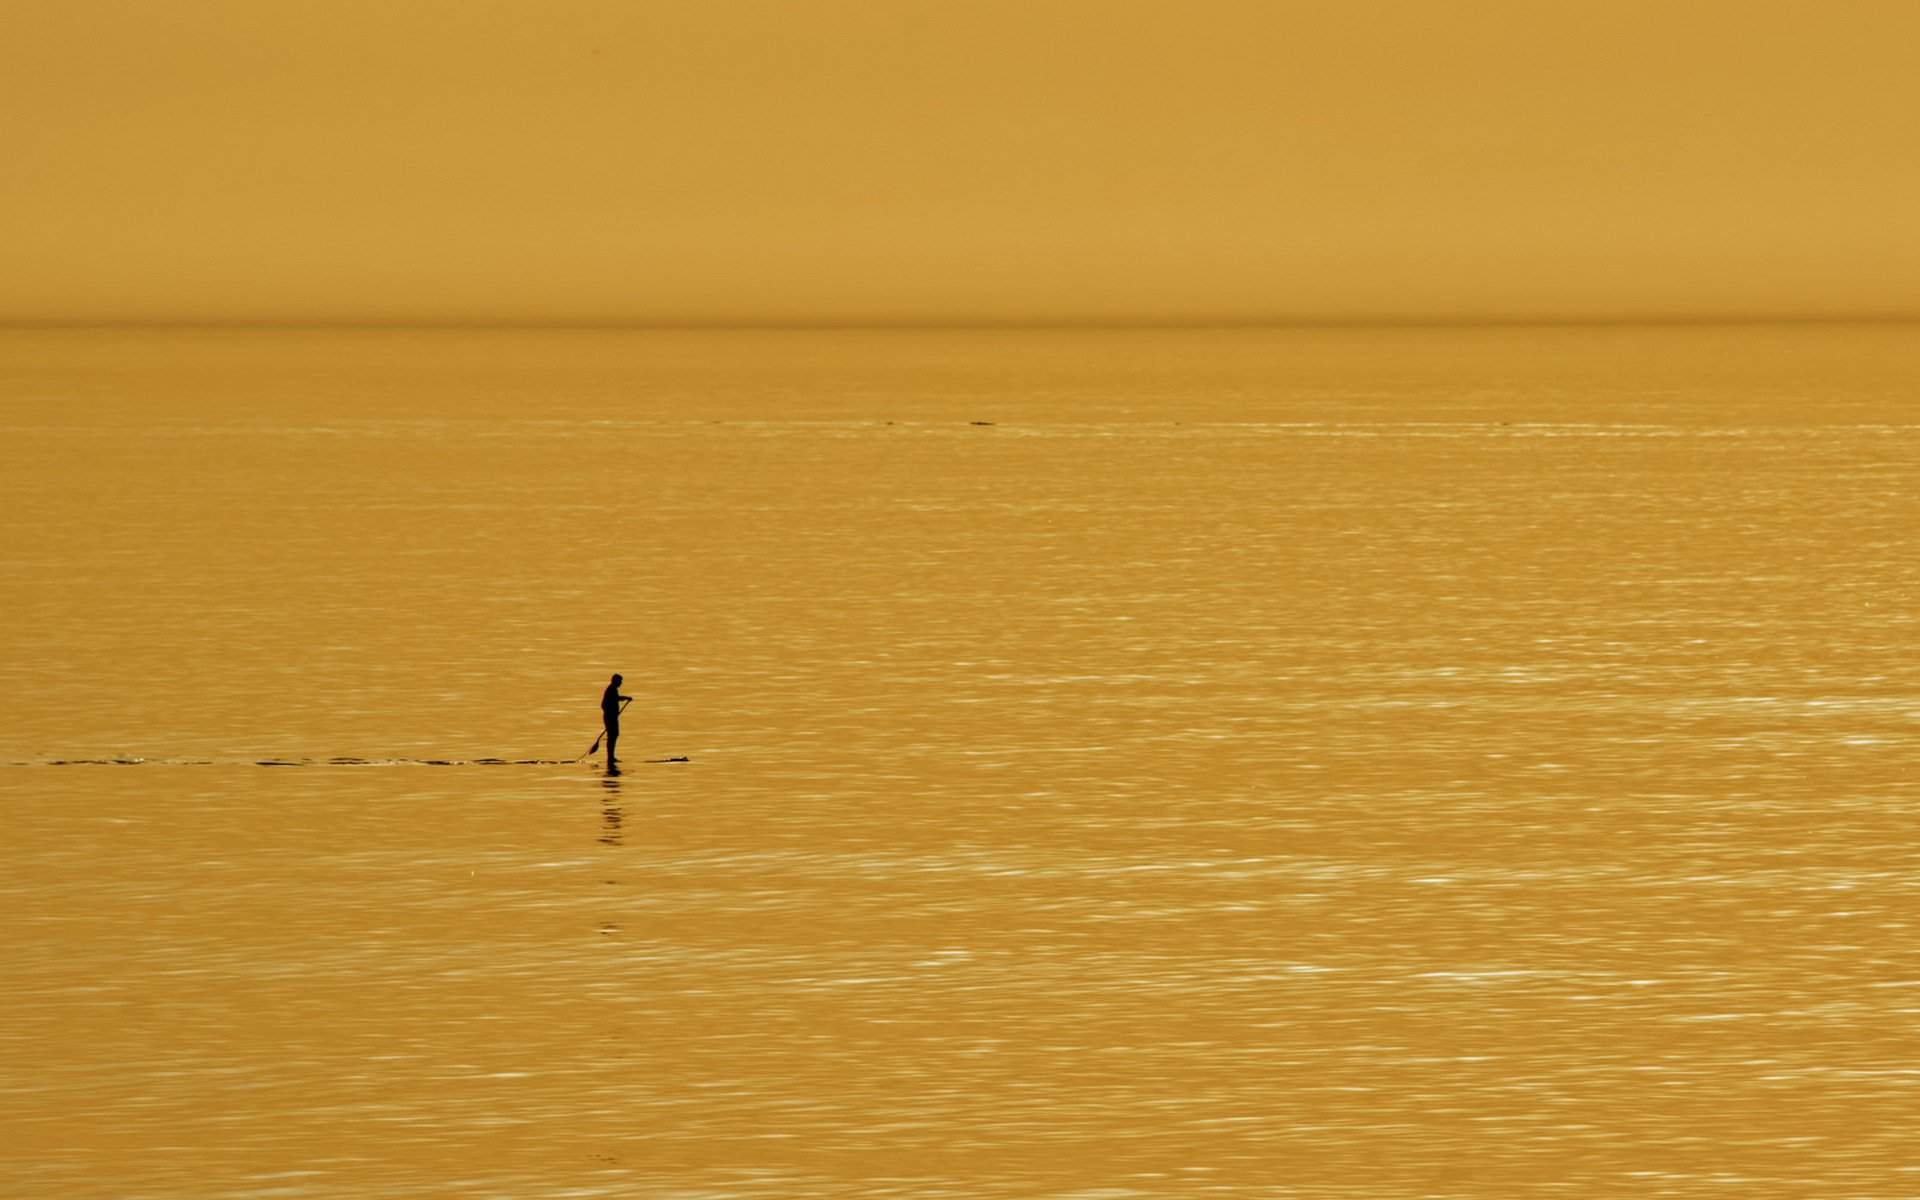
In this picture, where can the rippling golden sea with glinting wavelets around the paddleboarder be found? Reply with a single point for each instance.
(1330, 765)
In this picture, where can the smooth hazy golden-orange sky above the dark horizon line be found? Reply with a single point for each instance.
(959, 160)
